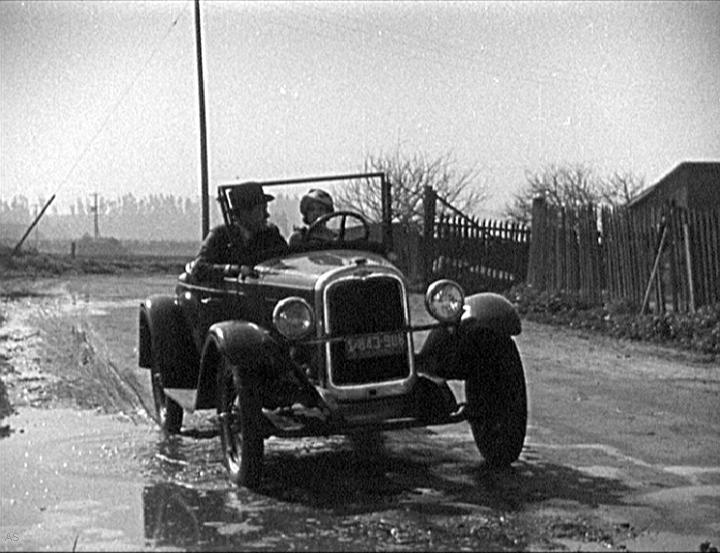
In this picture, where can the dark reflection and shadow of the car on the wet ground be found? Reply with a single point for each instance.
(330, 494)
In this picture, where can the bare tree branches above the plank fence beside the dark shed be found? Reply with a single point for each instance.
(572, 186)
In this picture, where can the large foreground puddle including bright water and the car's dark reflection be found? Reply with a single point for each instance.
(85, 481)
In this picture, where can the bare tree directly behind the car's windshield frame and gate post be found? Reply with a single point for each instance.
(408, 176)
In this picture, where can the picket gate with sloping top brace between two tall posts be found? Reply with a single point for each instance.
(478, 255)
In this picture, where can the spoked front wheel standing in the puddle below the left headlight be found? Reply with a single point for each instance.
(240, 421)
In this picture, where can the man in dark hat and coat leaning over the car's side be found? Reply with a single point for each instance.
(244, 240)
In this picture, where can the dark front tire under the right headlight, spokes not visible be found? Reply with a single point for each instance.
(497, 405)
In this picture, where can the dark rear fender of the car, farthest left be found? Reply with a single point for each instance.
(161, 325)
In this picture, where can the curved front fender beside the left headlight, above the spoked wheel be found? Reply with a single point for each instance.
(261, 361)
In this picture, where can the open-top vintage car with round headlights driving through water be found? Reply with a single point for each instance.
(317, 340)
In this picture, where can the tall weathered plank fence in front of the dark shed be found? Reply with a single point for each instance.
(663, 259)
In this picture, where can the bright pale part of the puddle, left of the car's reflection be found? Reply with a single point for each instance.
(67, 480)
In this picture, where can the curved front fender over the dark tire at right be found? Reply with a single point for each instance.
(455, 352)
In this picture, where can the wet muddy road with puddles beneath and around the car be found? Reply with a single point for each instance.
(622, 452)
